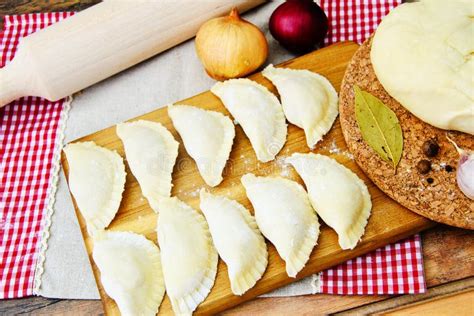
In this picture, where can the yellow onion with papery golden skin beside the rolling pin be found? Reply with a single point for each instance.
(230, 47)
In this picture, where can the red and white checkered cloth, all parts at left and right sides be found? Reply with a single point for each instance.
(29, 137)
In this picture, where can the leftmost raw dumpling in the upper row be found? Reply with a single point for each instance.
(96, 179)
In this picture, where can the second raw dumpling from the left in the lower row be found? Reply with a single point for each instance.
(188, 256)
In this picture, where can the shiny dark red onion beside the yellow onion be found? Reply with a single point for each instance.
(299, 25)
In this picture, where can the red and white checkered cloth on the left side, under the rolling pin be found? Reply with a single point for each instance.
(28, 141)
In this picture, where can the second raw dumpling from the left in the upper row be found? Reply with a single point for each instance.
(151, 153)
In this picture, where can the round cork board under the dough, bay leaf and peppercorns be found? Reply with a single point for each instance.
(435, 194)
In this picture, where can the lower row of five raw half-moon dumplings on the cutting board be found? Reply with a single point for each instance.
(190, 242)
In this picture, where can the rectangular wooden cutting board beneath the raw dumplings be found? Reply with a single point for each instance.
(389, 221)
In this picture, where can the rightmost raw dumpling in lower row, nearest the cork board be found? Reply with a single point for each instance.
(339, 196)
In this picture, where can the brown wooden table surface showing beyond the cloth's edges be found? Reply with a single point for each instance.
(448, 259)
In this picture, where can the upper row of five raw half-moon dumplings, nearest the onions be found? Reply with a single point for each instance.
(308, 100)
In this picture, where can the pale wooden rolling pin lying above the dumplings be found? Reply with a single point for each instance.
(102, 41)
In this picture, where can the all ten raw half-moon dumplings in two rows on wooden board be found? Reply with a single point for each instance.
(189, 241)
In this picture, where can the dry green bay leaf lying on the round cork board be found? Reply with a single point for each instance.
(379, 126)
